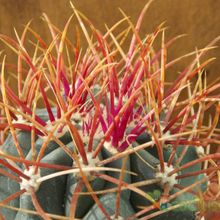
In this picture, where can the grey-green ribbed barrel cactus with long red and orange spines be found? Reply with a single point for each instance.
(98, 134)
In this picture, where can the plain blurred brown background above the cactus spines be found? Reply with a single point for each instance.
(199, 19)
